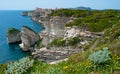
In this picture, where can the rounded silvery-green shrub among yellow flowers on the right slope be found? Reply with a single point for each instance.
(101, 56)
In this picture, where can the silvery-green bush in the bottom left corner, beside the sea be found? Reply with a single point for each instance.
(19, 67)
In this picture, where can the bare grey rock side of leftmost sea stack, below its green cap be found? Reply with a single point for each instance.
(13, 37)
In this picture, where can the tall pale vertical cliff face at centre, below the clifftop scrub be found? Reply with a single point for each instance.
(54, 28)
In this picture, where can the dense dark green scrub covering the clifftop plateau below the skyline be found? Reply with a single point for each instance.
(94, 20)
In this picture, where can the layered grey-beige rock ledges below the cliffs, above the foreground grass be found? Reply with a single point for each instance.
(54, 54)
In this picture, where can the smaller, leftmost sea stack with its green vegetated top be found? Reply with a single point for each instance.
(13, 35)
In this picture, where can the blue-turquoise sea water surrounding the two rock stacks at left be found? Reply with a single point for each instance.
(11, 52)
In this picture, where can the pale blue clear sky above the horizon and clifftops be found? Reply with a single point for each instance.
(32, 4)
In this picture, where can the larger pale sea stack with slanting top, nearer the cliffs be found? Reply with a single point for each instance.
(29, 38)
